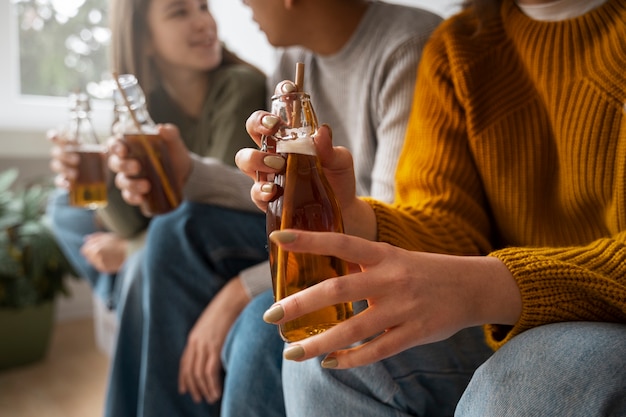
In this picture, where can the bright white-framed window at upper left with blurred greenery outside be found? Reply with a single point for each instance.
(46, 60)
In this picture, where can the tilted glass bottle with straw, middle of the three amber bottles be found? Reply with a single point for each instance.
(140, 134)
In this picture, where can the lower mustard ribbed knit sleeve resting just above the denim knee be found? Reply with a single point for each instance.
(586, 283)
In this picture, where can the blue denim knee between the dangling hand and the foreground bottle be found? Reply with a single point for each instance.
(253, 357)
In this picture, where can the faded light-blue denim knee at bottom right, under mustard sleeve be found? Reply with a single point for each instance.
(563, 369)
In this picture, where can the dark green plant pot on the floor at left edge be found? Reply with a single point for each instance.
(25, 334)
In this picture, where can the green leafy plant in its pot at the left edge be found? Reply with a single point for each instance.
(33, 271)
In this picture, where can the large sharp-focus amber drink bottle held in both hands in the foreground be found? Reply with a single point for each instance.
(305, 201)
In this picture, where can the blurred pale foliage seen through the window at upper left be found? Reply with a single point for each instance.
(63, 46)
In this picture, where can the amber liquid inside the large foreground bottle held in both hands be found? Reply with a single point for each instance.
(306, 203)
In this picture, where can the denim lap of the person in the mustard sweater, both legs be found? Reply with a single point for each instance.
(573, 369)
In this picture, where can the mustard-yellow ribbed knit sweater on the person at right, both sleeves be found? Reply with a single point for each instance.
(516, 148)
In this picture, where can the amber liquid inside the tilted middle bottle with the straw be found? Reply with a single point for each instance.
(157, 200)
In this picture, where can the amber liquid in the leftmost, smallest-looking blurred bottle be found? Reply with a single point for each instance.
(89, 190)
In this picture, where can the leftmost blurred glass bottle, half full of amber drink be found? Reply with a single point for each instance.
(89, 188)
